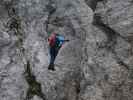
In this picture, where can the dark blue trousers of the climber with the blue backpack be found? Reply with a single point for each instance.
(53, 53)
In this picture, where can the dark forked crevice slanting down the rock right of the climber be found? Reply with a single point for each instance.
(111, 38)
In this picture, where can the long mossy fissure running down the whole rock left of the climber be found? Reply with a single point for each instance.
(14, 25)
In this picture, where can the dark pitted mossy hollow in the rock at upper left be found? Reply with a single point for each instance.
(14, 24)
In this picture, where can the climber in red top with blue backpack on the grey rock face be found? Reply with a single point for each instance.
(55, 43)
